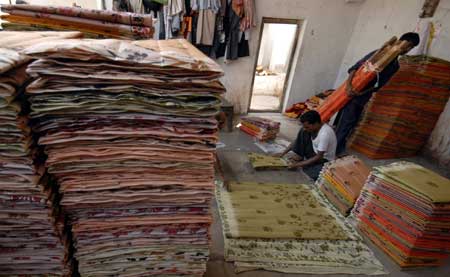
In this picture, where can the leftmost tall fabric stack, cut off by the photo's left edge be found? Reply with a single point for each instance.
(32, 237)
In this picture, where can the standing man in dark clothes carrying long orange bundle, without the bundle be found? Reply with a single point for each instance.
(349, 115)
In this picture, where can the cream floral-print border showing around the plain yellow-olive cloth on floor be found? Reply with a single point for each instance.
(321, 256)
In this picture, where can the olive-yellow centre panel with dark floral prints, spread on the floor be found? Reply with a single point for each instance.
(278, 211)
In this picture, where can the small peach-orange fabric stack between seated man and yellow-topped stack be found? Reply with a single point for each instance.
(341, 181)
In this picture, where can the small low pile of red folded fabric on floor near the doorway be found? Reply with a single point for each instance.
(261, 128)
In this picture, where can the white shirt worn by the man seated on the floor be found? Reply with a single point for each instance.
(325, 141)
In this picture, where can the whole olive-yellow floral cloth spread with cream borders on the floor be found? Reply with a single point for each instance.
(289, 228)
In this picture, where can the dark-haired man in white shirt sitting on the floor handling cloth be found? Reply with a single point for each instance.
(315, 145)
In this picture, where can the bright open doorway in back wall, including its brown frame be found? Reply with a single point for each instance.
(278, 41)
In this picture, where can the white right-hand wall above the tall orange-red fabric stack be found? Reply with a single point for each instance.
(379, 20)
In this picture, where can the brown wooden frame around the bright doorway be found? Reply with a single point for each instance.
(273, 20)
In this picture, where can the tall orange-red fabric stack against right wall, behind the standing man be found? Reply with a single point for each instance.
(401, 116)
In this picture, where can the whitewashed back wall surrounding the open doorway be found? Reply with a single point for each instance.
(329, 26)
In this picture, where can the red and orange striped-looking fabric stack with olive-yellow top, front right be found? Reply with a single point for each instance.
(404, 208)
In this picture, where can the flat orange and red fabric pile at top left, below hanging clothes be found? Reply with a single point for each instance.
(99, 22)
